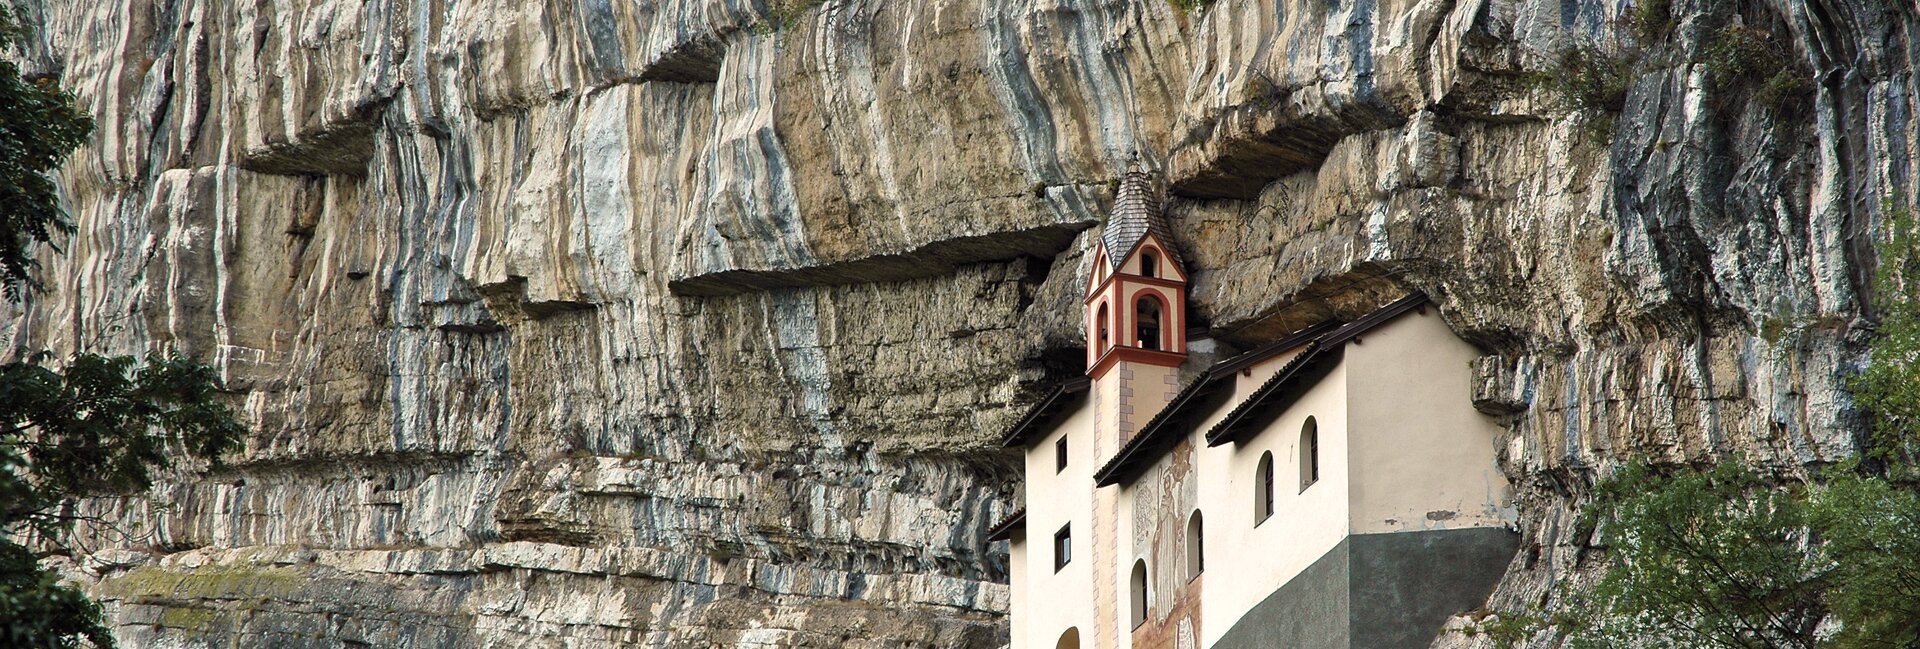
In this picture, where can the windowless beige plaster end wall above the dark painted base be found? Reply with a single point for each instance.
(1424, 458)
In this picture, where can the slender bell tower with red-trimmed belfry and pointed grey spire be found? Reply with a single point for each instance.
(1136, 314)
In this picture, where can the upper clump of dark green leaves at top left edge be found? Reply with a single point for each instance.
(39, 128)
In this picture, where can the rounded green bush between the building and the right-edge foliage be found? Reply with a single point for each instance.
(1702, 560)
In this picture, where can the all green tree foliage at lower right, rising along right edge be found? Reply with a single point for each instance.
(1727, 558)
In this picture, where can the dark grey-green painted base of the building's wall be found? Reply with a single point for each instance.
(1380, 592)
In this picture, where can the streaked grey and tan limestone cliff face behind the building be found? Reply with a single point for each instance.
(692, 324)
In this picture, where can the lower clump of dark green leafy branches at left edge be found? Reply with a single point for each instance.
(97, 425)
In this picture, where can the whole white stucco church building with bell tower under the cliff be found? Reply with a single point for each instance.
(1333, 489)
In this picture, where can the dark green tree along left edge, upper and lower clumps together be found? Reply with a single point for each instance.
(97, 425)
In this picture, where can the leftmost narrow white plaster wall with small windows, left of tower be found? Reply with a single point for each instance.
(1047, 604)
